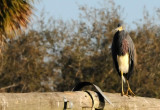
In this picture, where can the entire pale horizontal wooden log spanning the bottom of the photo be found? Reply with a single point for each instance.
(79, 100)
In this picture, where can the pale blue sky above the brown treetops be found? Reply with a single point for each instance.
(69, 9)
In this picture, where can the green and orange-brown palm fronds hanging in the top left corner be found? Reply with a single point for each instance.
(14, 17)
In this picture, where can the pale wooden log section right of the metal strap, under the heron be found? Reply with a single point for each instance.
(133, 103)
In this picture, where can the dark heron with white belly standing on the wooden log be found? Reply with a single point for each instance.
(124, 56)
